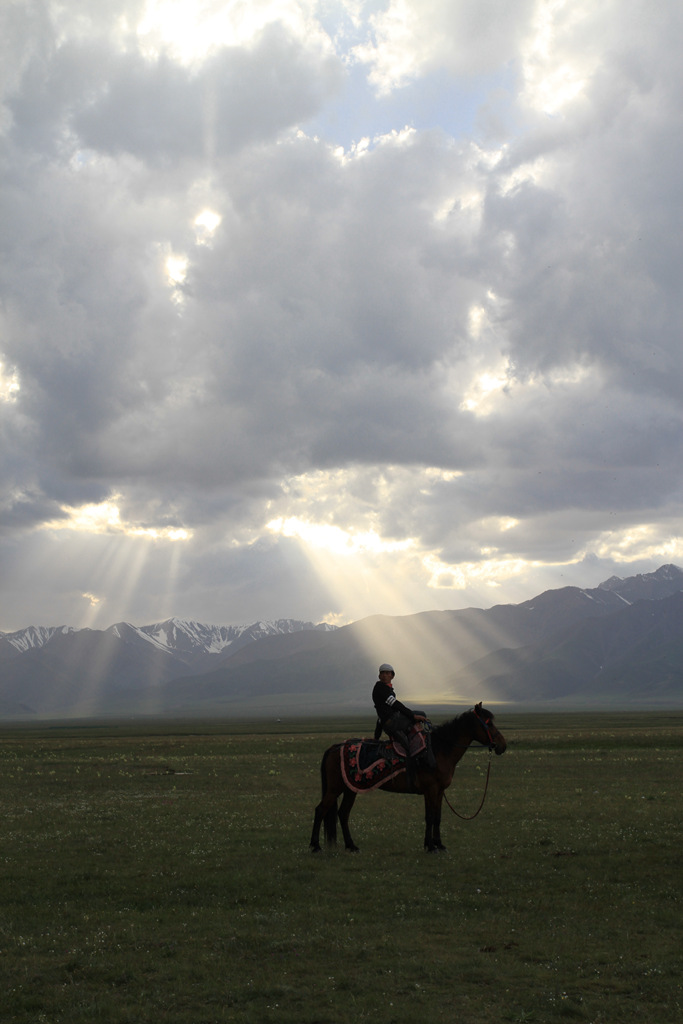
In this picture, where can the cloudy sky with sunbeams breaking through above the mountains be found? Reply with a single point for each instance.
(326, 309)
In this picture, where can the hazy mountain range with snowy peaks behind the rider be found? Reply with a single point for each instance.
(618, 645)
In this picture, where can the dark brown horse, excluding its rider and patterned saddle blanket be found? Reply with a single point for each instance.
(450, 743)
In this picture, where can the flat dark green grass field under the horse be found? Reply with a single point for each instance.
(161, 875)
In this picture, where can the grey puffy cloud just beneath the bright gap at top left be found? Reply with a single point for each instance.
(160, 111)
